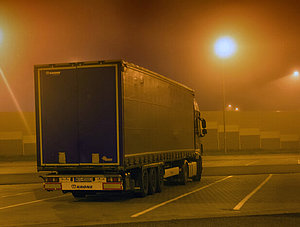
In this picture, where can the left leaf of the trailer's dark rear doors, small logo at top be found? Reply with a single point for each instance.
(58, 115)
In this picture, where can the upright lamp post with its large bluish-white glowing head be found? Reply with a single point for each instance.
(224, 48)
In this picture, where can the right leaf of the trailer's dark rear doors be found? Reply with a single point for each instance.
(98, 114)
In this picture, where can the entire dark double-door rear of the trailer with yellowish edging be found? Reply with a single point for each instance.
(78, 115)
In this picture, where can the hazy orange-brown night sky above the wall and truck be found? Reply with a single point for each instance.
(173, 38)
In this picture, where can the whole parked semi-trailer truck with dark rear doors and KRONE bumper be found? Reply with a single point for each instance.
(111, 125)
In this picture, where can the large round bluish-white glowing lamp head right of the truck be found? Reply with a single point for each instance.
(225, 47)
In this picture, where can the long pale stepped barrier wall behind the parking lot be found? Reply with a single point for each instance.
(245, 131)
